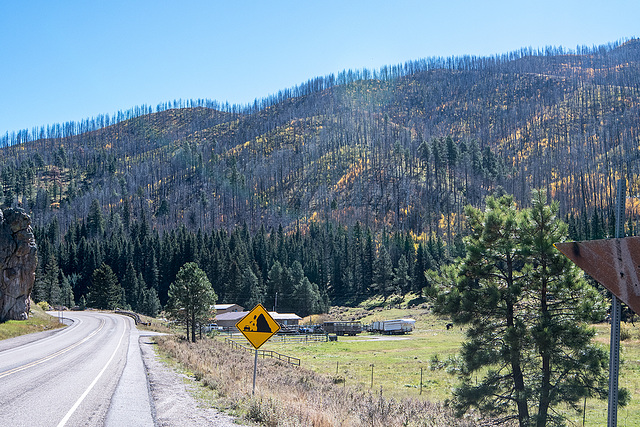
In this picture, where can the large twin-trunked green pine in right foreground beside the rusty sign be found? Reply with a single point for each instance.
(528, 349)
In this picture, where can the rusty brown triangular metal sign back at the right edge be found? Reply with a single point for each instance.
(614, 263)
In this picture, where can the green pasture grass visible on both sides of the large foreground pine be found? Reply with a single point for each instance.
(397, 362)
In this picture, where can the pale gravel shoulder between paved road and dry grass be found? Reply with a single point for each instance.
(171, 396)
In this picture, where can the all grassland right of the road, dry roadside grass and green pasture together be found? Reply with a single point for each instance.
(345, 368)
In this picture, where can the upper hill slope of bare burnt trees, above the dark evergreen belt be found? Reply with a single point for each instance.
(402, 149)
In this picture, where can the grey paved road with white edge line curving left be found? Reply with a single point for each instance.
(87, 374)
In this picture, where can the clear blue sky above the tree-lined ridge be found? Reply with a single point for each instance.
(70, 60)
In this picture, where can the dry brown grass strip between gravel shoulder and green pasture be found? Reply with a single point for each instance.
(293, 396)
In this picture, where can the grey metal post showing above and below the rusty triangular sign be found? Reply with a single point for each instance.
(616, 311)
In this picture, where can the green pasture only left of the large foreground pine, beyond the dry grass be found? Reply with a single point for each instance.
(397, 361)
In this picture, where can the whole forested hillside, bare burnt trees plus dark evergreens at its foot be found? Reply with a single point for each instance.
(368, 155)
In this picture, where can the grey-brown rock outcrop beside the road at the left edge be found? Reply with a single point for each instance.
(18, 261)
